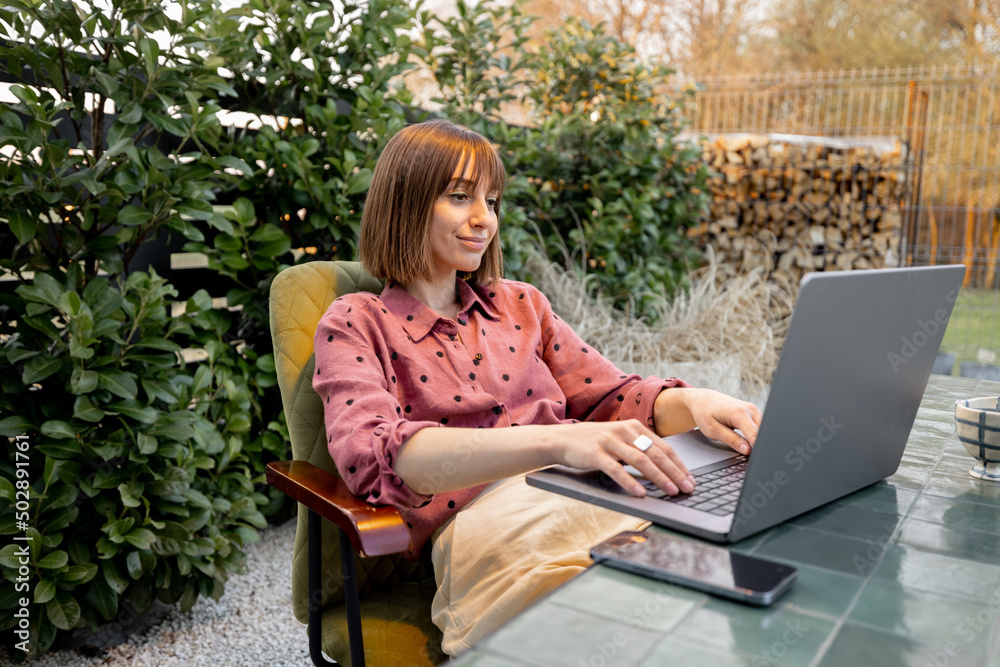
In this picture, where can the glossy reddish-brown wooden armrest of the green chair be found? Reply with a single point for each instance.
(374, 530)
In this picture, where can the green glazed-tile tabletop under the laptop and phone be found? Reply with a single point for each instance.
(905, 572)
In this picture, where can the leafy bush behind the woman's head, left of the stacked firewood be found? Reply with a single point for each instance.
(599, 174)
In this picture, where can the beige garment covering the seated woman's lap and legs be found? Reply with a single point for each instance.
(508, 547)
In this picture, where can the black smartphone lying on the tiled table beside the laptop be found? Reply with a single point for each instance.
(697, 565)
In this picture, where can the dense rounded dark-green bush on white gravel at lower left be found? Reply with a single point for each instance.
(139, 488)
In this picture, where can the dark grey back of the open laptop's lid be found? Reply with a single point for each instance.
(854, 366)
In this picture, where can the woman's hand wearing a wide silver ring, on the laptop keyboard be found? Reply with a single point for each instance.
(608, 446)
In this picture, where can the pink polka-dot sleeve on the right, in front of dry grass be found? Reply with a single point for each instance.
(595, 389)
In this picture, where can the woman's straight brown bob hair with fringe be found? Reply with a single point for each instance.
(415, 167)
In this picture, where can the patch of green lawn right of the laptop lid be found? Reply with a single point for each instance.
(974, 325)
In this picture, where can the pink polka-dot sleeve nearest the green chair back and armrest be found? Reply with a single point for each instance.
(365, 426)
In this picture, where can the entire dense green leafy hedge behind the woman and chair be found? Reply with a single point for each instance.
(145, 469)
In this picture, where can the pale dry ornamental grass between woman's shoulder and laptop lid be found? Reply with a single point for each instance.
(723, 333)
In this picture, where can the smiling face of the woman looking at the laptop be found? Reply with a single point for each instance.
(463, 222)
